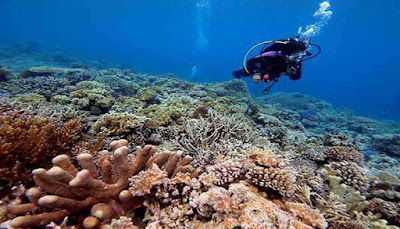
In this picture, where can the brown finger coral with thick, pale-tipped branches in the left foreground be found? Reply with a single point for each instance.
(69, 190)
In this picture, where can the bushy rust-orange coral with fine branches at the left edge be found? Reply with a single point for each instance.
(28, 143)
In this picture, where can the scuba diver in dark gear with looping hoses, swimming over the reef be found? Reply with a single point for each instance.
(280, 57)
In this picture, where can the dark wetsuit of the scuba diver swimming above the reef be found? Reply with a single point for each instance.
(274, 61)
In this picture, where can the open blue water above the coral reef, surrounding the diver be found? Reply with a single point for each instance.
(358, 68)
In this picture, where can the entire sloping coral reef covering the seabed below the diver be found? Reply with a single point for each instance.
(192, 155)
